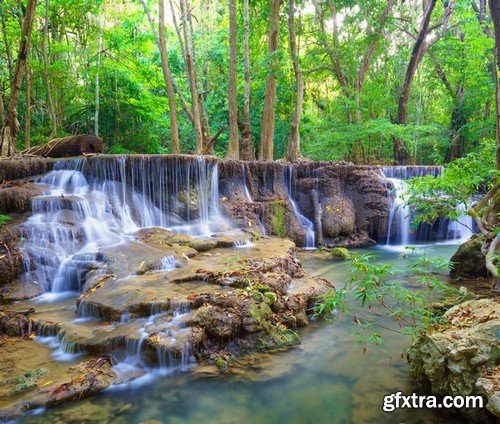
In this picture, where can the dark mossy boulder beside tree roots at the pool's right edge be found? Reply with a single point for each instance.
(468, 260)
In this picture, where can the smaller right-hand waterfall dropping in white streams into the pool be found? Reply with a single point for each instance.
(400, 215)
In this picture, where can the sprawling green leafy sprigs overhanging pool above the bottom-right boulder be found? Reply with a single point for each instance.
(407, 301)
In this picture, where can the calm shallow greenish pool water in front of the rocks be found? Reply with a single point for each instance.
(328, 379)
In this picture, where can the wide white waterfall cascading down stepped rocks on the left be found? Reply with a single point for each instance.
(95, 204)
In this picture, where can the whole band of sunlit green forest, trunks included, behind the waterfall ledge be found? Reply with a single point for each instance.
(370, 81)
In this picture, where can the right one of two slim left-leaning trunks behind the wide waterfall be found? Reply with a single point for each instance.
(193, 81)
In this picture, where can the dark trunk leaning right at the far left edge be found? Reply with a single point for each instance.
(11, 124)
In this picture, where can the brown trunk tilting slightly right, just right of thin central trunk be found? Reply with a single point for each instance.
(268, 115)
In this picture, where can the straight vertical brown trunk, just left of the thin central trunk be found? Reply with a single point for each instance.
(233, 148)
